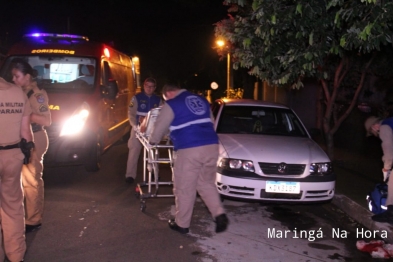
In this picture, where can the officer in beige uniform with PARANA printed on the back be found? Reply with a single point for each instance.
(14, 125)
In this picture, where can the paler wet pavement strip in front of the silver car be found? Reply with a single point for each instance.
(280, 233)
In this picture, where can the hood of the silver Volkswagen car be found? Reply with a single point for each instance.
(271, 149)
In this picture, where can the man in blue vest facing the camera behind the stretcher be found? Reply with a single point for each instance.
(138, 108)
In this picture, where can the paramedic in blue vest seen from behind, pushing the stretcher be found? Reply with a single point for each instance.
(189, 120)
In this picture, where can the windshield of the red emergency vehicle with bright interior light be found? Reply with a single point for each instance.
(58, 73)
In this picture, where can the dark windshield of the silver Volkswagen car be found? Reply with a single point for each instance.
(260, 121)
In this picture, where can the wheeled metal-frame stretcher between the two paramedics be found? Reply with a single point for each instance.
(150, 186)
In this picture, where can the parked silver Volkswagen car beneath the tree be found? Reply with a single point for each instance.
(267, 154)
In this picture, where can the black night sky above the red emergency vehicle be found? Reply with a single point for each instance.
(173, 38)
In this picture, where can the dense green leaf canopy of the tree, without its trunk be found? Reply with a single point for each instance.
(283, 41)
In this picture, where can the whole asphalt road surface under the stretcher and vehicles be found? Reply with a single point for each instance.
(97, 217)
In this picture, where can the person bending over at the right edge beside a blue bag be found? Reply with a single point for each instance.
(384, 130)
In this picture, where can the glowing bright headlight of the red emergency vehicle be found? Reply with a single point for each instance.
(76, 122)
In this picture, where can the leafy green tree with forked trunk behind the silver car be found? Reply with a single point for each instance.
(283, 42)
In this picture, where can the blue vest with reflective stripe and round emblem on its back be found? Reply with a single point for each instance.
(192, 125)
